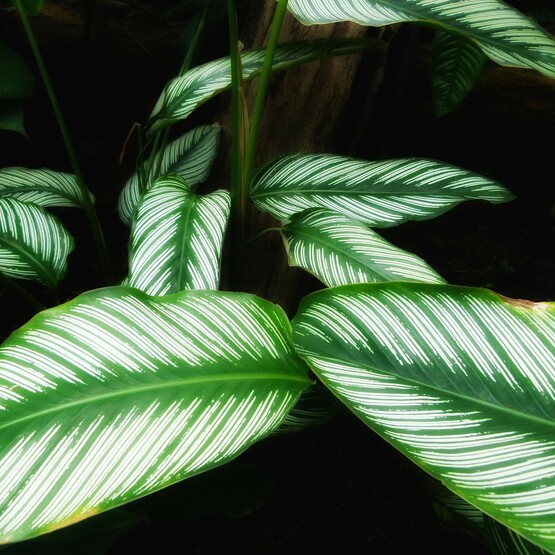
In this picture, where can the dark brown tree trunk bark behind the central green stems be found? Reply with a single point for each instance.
(304, 113)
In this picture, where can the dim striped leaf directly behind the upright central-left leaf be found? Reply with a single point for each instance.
(191, 156)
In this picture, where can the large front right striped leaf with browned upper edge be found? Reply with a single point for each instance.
(460, 380)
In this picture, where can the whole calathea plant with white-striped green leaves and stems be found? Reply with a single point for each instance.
(127, 389)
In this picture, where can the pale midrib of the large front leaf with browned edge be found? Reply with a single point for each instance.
(468, 399)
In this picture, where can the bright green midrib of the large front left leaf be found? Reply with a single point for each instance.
(183, 382)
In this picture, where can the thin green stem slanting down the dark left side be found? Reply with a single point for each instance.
(86, 198)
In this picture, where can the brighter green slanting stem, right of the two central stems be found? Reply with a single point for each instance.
(260, 100)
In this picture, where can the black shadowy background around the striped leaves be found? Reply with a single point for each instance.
(336, 488)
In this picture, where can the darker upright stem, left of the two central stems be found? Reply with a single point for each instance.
(238, 198)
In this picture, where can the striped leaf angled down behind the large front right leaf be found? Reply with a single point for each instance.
(339, 250)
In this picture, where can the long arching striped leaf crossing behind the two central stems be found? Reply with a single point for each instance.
(184, 94)
